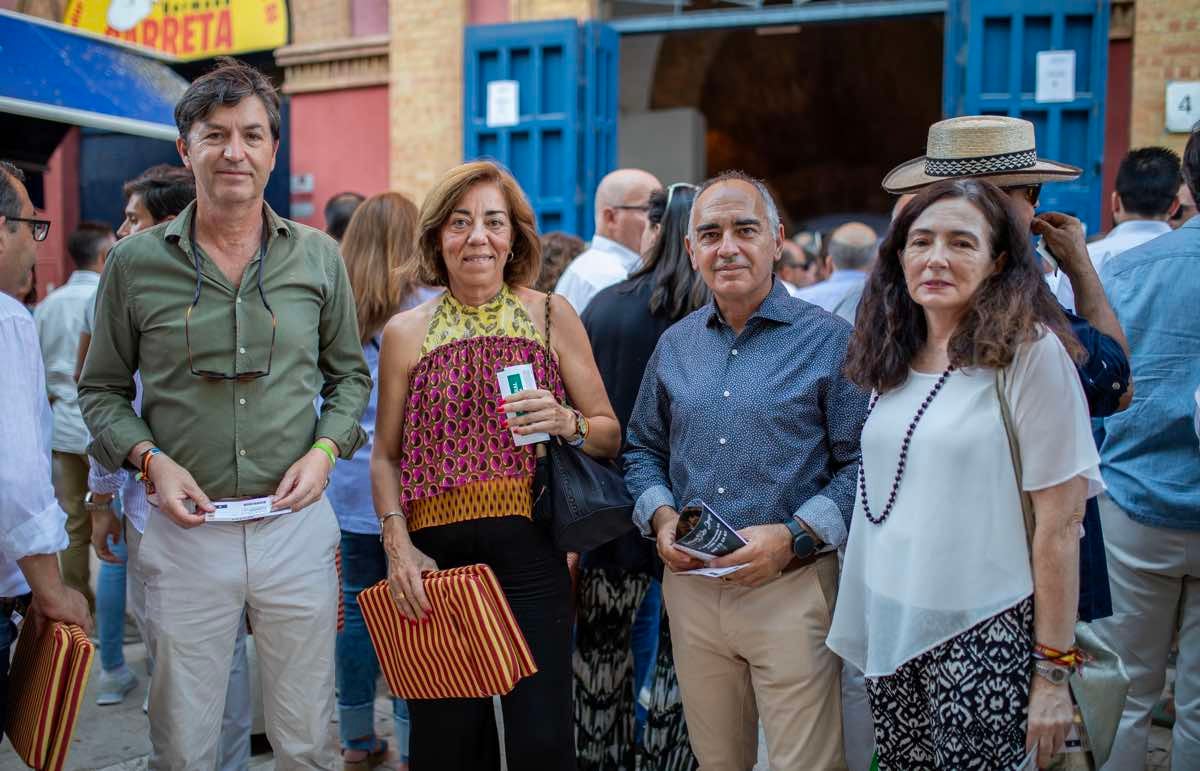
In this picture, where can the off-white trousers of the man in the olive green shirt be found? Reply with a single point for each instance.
(197, 583)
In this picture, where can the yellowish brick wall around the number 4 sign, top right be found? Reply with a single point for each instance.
(1166, 47)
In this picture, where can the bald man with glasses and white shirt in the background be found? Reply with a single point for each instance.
(623, 198)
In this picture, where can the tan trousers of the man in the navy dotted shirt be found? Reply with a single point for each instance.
(743, 654)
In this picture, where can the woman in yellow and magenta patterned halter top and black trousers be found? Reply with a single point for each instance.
(449, 482)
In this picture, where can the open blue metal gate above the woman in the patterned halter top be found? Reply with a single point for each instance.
(565, 139)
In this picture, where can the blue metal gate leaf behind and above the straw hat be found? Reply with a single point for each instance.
(992, 49)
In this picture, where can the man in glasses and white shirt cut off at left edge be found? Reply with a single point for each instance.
(32, 523)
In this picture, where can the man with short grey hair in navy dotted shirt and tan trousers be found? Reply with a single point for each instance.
(745, 407)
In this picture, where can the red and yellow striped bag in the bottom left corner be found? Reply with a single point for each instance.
(46, 686)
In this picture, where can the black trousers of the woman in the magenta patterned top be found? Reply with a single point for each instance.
(453, 734)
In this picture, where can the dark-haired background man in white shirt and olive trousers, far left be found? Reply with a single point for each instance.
(61, 319)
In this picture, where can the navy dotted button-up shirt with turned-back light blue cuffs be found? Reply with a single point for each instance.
(761, 426)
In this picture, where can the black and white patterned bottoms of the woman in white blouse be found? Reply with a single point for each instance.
(963, 706)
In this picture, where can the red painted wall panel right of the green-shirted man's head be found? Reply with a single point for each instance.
(341, 139)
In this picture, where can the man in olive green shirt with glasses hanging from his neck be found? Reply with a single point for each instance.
(237, 320)
